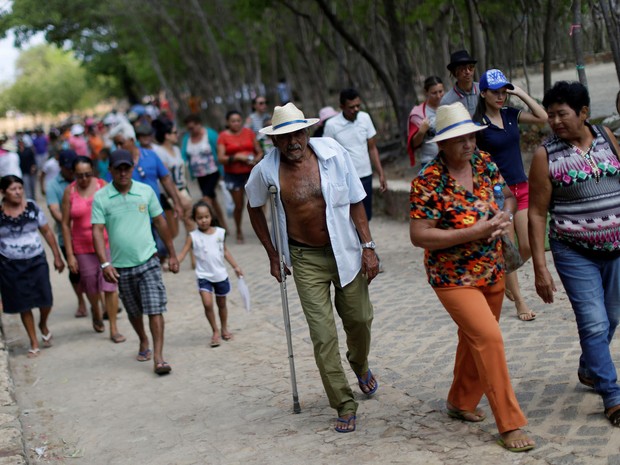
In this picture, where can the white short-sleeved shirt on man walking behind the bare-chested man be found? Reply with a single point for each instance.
(353, 136)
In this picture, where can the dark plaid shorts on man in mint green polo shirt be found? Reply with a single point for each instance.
(142, 290)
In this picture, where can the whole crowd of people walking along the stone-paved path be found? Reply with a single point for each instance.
(119, 190)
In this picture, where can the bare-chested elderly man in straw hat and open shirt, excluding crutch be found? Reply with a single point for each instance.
(325, 237)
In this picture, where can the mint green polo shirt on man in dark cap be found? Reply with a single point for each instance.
(127, 219)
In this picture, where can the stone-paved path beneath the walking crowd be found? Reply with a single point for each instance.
(87, 401)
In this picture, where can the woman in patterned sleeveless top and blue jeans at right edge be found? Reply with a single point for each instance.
(575, 178)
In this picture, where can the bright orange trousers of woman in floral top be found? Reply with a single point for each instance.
(480, 365)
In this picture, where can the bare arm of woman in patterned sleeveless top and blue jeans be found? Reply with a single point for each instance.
(540, 197)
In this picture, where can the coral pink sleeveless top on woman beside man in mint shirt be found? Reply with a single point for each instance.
(81, 227)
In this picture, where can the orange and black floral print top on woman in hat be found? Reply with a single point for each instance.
(435, 195)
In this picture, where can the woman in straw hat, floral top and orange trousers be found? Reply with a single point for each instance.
(454, 217)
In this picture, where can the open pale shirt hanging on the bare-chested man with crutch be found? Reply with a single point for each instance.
(340, 186)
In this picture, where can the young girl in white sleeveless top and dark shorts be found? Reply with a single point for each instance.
(207, 243)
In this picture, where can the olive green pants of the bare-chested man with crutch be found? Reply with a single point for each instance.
(314, 271)
